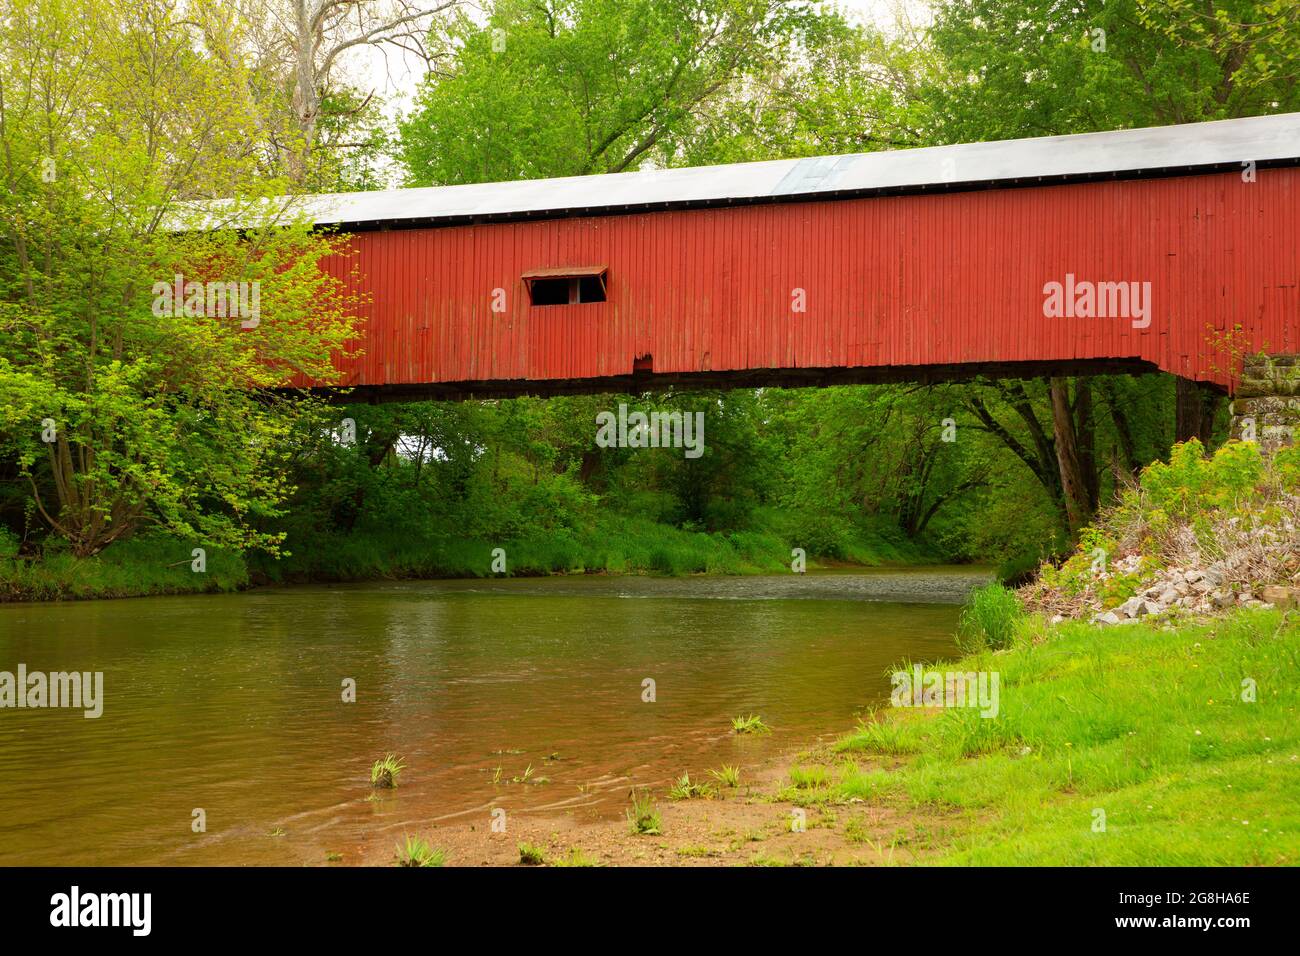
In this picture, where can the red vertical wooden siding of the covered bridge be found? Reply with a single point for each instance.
(913, 280)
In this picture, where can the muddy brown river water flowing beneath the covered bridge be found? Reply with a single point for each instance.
(233, 704)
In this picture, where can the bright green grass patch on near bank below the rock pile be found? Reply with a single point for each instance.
(1143, 723)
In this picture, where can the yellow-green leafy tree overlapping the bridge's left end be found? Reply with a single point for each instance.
(119, 405)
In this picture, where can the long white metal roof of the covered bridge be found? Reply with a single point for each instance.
(1087, 155)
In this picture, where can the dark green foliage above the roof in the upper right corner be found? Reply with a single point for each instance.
(1045, 71)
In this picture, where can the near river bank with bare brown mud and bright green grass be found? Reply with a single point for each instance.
(1138, 746)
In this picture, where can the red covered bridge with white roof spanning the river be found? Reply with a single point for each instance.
(917, 265)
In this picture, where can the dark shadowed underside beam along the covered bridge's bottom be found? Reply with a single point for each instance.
(649, 380)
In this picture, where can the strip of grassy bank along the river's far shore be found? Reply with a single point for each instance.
(613, 546)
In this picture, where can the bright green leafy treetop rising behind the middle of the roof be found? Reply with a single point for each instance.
(571, 88)
